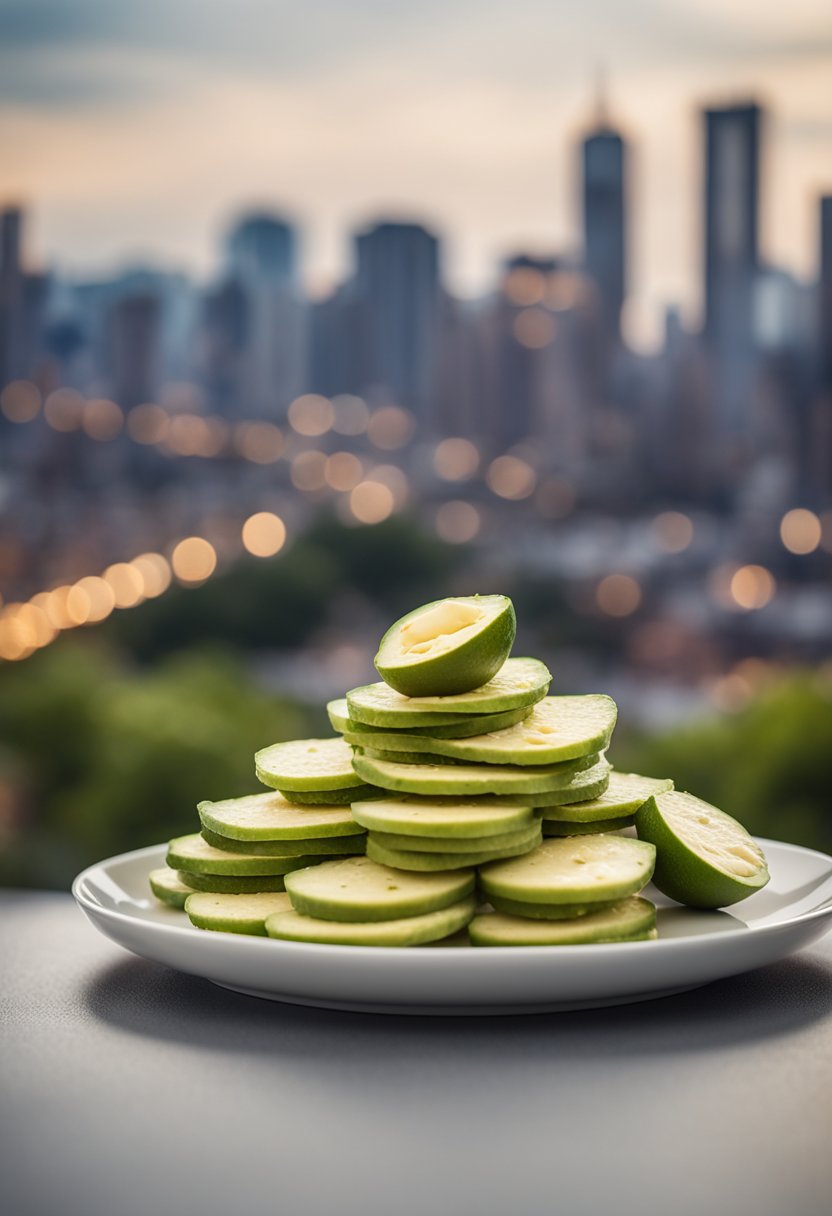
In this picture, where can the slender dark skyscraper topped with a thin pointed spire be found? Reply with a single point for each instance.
(604, 165)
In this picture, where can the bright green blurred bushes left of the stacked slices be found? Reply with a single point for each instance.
(97, 758)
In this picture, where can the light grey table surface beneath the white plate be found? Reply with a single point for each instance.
(132, 1089)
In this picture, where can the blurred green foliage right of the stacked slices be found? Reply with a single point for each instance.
(766, 765)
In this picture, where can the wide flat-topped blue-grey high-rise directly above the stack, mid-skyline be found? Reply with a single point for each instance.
(397, 282)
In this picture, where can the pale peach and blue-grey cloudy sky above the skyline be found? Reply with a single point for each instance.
(136, 131)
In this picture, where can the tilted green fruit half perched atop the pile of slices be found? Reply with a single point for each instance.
(448, 648)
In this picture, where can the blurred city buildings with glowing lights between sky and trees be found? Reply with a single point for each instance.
(391, 392)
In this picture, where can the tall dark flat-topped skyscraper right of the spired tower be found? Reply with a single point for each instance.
(732, 255)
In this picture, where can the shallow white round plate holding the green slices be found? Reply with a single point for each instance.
(694, 949)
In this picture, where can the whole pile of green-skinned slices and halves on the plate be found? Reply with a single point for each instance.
(457, 793)
